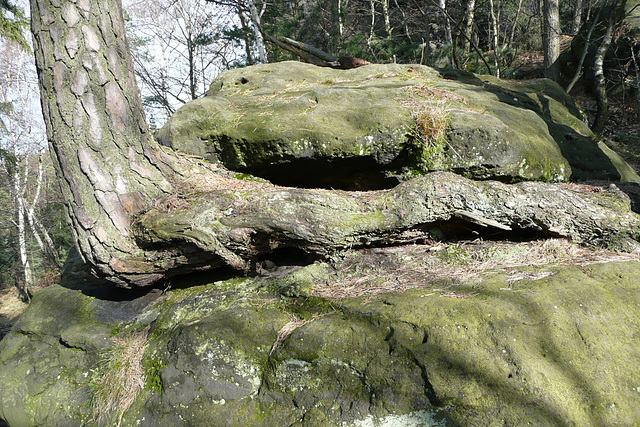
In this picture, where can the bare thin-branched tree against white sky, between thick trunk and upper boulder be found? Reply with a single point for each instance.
(179, 47)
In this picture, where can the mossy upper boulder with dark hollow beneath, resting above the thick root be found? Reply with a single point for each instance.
(301, 125)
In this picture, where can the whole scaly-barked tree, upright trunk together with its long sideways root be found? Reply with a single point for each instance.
(141, 213)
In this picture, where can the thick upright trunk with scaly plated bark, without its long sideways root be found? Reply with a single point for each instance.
(105, 157)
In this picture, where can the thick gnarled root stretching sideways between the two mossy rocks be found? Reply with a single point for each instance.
(240, 221)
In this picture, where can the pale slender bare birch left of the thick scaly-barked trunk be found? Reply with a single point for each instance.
(22, 153)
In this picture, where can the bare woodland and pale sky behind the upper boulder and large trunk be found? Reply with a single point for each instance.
(179, 46)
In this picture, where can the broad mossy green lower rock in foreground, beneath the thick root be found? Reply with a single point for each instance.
(552, 345)
